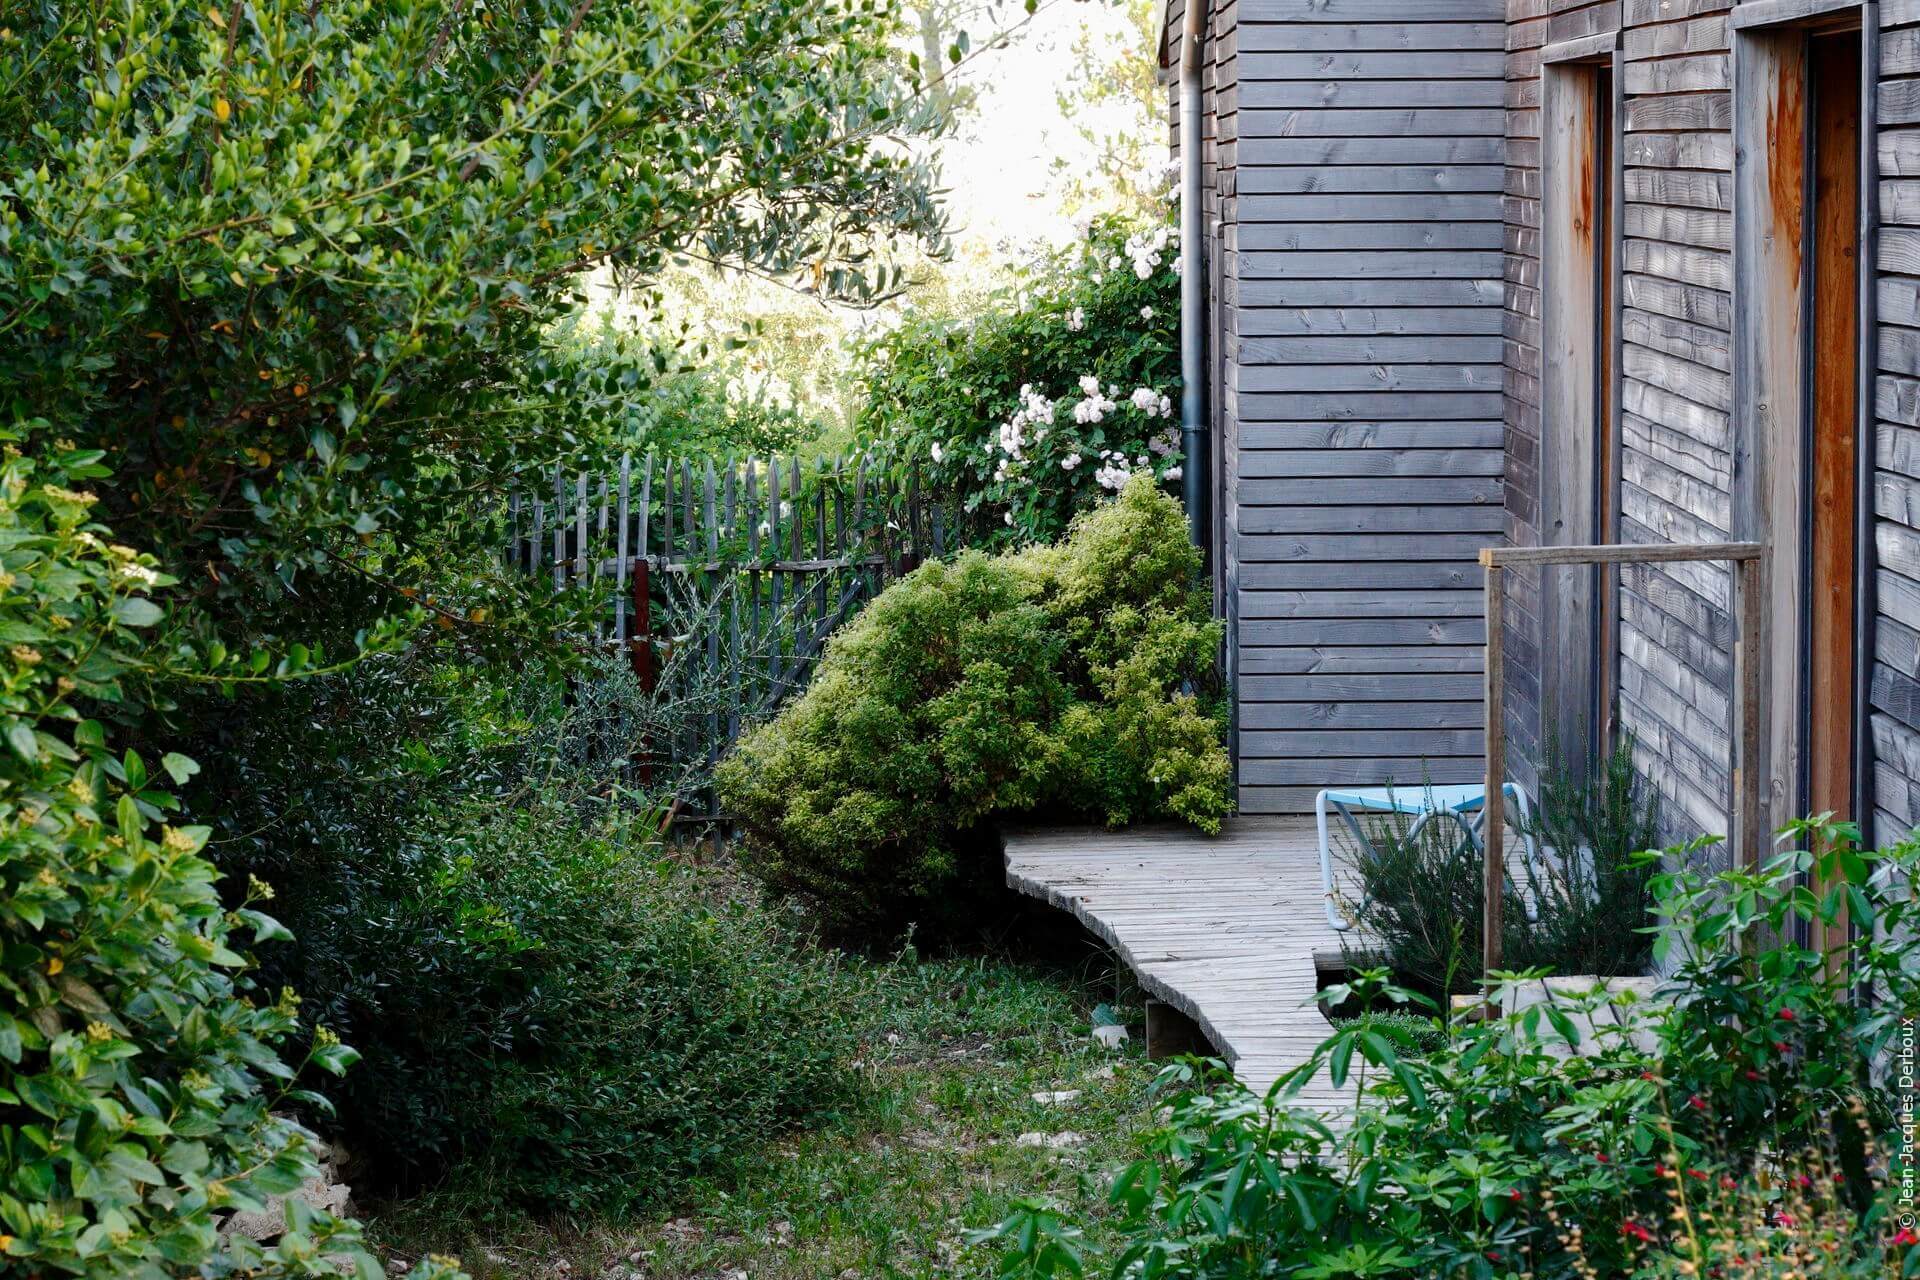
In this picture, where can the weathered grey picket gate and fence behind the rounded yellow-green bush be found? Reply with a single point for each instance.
(723, 579)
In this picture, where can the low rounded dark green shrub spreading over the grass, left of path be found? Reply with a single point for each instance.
(564, 1016)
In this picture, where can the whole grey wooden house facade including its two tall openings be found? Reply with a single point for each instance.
(1566, 272)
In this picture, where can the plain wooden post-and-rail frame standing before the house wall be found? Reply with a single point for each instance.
(1750, 659)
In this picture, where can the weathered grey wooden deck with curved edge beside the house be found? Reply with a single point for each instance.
(1224, 930)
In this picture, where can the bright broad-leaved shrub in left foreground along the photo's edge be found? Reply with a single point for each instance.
(143, 1093)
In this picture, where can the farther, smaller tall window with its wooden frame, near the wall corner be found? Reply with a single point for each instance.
(1579, 400)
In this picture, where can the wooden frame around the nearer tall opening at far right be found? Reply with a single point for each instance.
(1771, 417)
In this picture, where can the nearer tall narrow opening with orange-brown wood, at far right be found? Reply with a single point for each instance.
(1796, 394)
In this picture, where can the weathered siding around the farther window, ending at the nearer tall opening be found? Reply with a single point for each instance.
(1673, 279)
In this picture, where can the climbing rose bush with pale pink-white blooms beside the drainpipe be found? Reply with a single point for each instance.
(1049, 402)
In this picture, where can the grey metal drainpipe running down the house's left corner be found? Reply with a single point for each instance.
(1193, 277)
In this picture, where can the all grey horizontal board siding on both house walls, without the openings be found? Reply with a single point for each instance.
(1378, 185)
